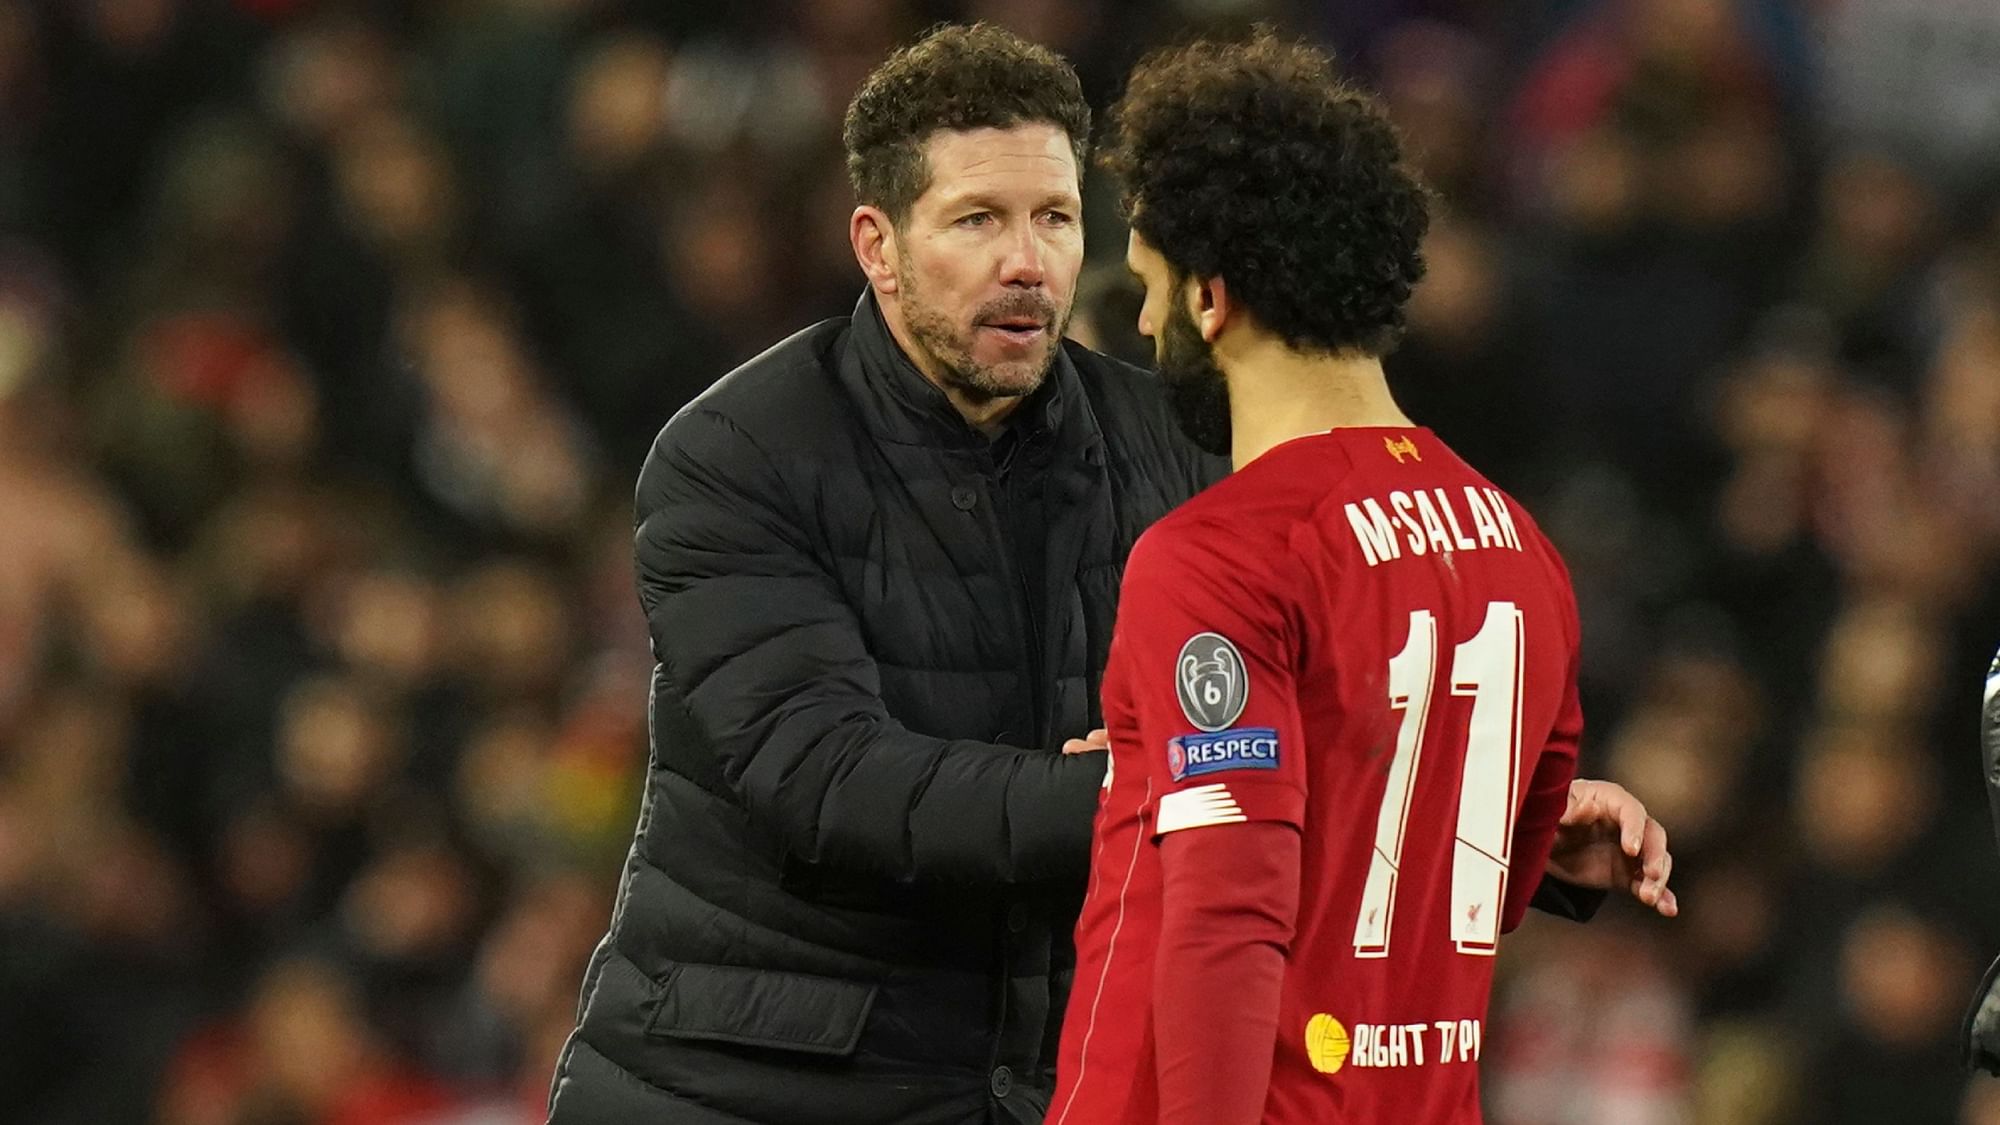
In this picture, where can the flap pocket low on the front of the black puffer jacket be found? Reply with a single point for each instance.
(763, 1008)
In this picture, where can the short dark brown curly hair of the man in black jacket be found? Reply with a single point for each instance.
(957, 77)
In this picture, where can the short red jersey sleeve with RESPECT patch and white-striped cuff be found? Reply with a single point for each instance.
(1209, 642)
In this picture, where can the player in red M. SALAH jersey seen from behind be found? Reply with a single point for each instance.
(1343, 682)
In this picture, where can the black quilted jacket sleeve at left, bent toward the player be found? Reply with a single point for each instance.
(769, 660)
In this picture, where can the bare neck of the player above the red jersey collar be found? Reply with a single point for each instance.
(1279, 395)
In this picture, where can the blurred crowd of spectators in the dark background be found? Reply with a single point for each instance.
(333, 335)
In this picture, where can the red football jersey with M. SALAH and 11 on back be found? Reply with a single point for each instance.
(1357, 638)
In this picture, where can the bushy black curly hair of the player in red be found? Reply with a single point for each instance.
(1253, 161)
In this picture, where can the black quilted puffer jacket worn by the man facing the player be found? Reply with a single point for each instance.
(851, 894)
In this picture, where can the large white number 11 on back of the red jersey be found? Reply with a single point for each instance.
(1487, 670)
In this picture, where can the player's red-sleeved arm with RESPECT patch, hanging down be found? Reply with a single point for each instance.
(1221, 734)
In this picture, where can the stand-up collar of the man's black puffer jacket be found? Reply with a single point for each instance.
(905, 407)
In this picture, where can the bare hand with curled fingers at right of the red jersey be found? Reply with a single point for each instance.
(1609, 842)
